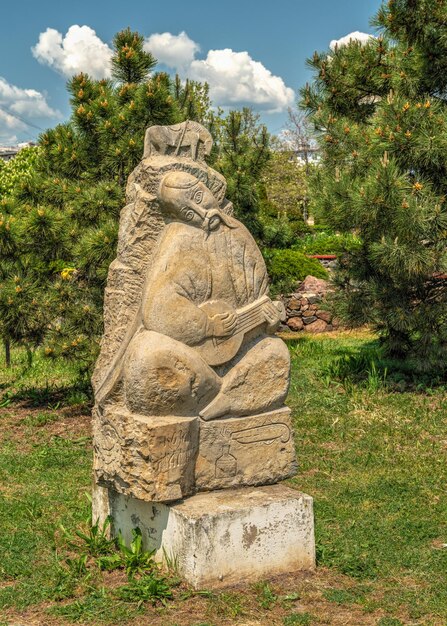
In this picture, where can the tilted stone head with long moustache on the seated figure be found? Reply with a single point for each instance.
(184, 197)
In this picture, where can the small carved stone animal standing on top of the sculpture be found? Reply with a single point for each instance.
(158, 139)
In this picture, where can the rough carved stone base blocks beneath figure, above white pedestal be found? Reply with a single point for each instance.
(168, 458)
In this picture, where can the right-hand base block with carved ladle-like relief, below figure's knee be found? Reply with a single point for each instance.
(254, 450)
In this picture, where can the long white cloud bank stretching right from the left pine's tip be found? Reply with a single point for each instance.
(234, 77)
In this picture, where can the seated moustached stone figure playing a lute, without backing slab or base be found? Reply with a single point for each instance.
(205, 345)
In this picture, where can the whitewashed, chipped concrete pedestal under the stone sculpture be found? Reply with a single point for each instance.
(222, 537)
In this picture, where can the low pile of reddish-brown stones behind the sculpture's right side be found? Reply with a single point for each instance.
(305, 310)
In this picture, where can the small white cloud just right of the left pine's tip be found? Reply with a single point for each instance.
(177, 51)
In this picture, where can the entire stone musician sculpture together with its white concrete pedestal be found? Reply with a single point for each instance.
(191, 380)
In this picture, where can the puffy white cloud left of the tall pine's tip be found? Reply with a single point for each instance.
(80, 50)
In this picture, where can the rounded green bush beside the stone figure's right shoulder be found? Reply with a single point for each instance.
(288, 267)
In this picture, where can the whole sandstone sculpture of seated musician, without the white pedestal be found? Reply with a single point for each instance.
(191, 381)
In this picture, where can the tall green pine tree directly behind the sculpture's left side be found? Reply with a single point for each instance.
(67, 212)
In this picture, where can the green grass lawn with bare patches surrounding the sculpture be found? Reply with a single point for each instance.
(371, 448)
